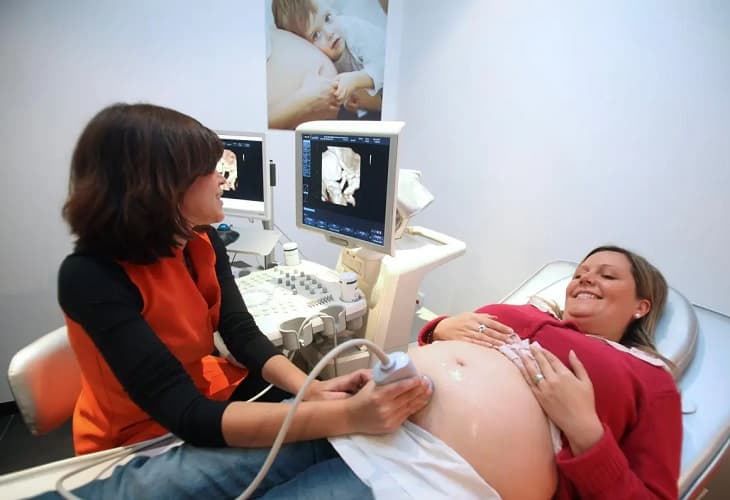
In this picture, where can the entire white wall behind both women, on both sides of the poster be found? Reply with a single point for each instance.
(542, 129)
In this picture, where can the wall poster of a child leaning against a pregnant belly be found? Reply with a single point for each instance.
(325, 60)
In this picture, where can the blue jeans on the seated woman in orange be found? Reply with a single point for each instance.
(305, 470)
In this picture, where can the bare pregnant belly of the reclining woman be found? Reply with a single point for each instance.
(483, 409)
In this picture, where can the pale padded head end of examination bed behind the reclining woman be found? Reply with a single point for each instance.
(697, 340)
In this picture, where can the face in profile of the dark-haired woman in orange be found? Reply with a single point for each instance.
(202, 203)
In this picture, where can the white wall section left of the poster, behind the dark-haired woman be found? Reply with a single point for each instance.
(61, 63)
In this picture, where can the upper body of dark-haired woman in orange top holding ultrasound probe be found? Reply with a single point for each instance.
(149, 283)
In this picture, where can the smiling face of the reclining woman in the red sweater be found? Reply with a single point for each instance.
(601, 298)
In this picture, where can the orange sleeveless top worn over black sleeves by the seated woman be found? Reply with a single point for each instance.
(184, 314)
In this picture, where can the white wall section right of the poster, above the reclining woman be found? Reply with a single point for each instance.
(545, 129)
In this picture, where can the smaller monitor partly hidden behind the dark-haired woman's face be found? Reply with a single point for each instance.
(246, 192)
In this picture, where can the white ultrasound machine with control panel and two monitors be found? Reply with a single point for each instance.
(348, 190)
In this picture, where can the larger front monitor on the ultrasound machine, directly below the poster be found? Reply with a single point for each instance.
(347, 175)
